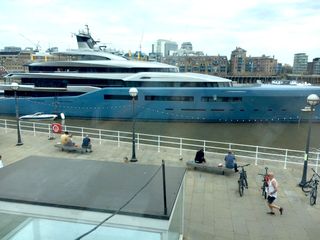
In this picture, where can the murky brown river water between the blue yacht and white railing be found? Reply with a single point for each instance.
(281, 135)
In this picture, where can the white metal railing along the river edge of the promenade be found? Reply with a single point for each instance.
(254, 153)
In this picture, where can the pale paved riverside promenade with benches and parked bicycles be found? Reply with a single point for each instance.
(213, 208)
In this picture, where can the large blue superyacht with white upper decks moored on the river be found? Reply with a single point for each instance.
(94, 83)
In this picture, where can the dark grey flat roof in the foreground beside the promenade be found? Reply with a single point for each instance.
(90, 185)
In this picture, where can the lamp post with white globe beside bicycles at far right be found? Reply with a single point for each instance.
(312, 100)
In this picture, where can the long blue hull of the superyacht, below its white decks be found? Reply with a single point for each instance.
(232, 104)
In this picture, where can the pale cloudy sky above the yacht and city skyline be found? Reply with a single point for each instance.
(278, 28)
